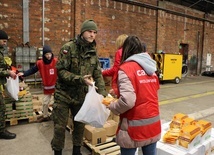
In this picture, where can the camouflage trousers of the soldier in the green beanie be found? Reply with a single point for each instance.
(60, 116)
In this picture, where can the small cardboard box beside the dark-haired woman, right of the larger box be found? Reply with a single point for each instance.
(111, 127)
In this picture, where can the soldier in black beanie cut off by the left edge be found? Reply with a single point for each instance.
(4, 72)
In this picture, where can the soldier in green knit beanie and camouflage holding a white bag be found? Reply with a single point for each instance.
(77, 63)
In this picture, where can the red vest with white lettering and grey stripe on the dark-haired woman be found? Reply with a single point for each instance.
(143, 118)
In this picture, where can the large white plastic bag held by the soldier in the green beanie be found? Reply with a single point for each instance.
(93, 112)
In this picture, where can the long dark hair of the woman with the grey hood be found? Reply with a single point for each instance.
(131, 46)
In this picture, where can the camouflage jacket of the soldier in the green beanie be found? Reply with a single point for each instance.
(76, 59)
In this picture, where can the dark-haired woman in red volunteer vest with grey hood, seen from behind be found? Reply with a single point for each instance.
(137, 105)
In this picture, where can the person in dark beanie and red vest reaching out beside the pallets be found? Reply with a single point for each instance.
(47, 68)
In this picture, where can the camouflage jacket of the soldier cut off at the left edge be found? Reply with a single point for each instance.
(3, 68)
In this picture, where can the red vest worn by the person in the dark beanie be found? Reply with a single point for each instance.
(48, 73)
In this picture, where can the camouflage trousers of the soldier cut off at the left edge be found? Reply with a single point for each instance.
(2, 113)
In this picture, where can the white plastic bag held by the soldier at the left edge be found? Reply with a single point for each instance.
(12, 87)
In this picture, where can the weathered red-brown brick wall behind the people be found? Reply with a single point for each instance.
(161, 29)
